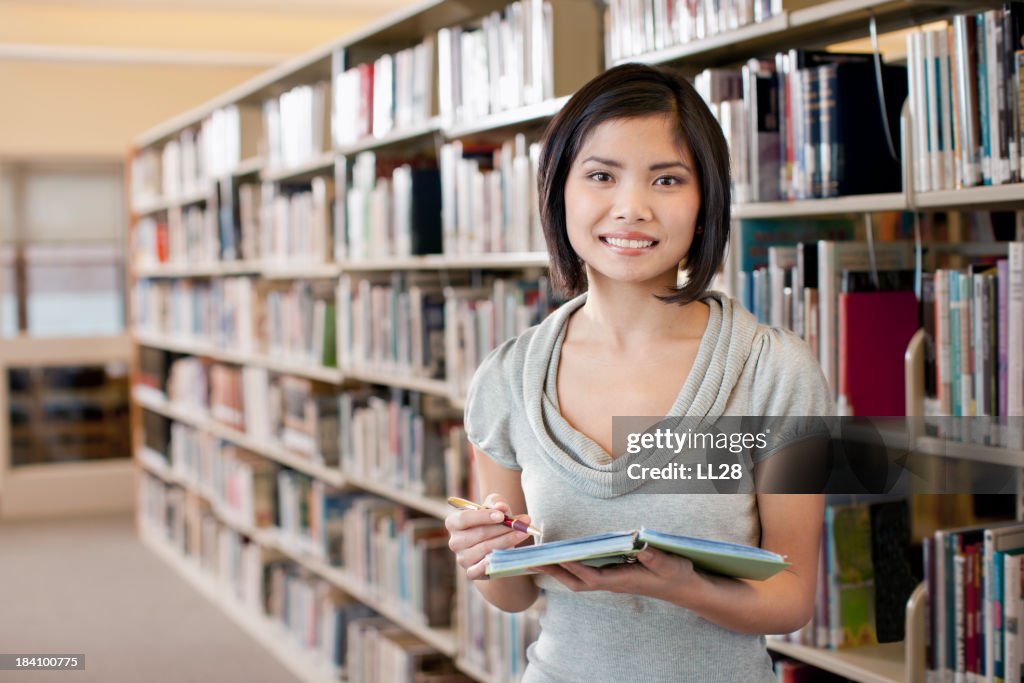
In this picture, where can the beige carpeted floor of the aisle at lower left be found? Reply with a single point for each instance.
(90, 586)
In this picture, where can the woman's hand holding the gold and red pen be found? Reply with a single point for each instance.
(474, 534)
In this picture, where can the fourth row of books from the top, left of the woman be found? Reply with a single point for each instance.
(412, 442)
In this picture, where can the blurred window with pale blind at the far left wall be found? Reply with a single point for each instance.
(62, 248)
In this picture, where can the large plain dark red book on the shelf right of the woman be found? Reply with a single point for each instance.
(875, 331)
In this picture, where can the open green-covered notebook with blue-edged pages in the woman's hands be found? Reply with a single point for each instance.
(730, 560)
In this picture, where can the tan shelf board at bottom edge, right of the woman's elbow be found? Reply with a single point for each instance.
(871, 664)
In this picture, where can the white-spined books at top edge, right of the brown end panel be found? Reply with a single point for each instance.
(636, 27)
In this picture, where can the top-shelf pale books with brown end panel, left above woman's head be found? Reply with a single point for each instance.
(528, 54)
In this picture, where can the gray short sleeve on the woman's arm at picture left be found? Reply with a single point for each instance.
(490, 407)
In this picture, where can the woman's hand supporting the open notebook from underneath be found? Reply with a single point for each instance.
(658, 575)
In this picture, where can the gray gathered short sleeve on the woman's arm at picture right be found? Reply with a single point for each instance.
(790, 391)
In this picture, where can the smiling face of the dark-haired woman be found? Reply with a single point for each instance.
(632, 201)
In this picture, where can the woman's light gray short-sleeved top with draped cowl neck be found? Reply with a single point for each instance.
(574, 487)
